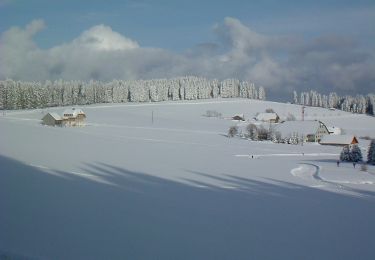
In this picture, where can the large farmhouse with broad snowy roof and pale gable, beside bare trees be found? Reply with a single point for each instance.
(309, 130)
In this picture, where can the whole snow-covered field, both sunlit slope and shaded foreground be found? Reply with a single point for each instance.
(129, 186)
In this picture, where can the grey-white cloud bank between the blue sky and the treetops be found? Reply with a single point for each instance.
(279, 63)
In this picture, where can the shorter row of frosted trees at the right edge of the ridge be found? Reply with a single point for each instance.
(358, 104)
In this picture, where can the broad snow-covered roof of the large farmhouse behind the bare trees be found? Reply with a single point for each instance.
(300, 127)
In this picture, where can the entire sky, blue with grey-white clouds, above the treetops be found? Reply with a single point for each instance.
(281, 45)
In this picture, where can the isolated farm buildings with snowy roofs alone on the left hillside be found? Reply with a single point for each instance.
(70, 117)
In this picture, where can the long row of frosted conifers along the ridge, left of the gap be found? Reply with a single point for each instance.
(28, 95)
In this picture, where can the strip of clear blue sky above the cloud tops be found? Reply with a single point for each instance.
(181, 24)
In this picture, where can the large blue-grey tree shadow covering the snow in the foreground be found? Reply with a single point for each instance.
(115, 213)
